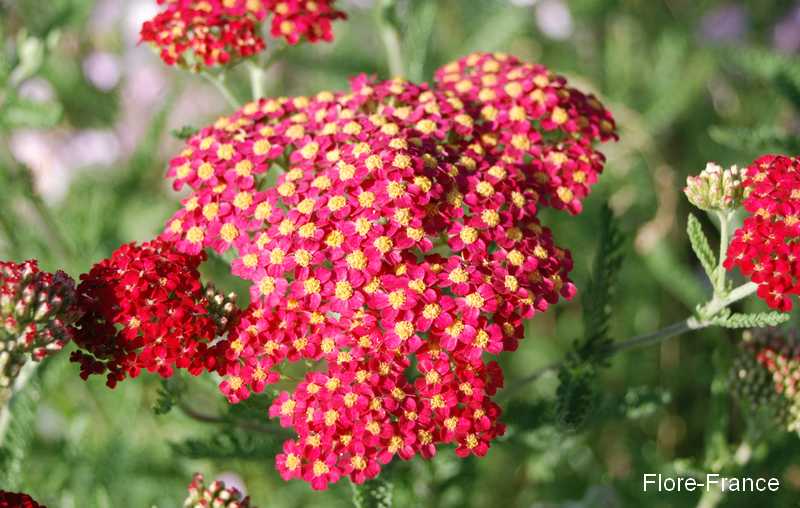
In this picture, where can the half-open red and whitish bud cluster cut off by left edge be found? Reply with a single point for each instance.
(36, 311)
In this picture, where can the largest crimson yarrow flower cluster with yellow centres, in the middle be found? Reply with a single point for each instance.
(391, 235)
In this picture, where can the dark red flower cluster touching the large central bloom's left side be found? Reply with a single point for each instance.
(145, 308)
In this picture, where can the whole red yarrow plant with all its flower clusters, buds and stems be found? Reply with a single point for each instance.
(391, 239)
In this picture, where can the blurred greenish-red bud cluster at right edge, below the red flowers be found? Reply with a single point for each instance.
(766, 373)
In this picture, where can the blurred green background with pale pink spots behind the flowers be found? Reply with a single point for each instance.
(87, 124)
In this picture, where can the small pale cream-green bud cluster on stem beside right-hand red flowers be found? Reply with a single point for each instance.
(716, 189)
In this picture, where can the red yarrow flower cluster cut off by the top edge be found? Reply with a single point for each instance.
(197, 33)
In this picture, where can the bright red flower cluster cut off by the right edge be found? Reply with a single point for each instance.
(766, 247)
